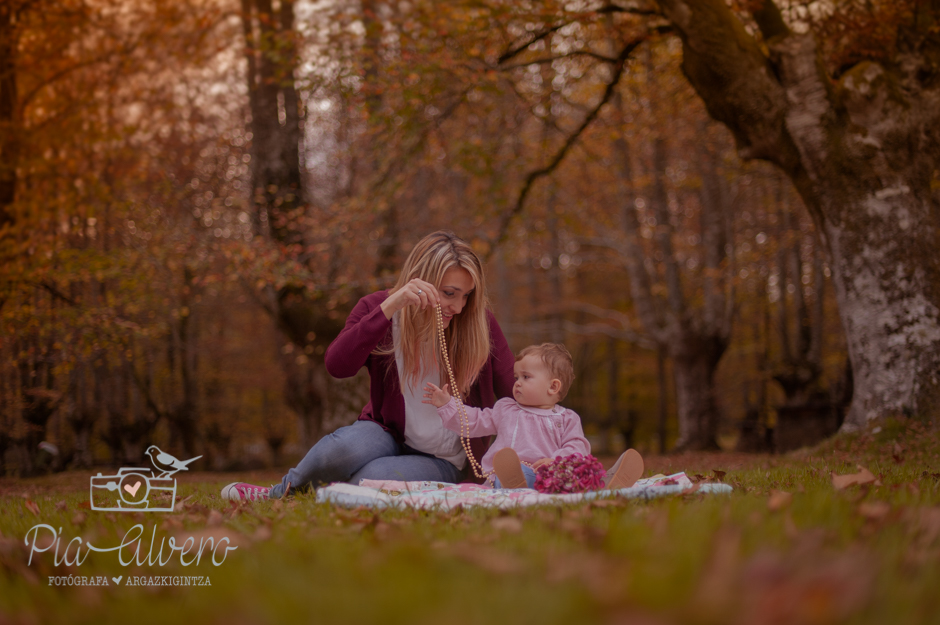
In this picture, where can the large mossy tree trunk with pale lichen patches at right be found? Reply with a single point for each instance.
(861, 151)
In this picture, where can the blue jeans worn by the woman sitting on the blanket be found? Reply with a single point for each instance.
(364, 450)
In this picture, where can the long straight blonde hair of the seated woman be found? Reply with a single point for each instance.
(467, 335)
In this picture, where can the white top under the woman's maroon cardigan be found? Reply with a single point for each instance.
(424, 430)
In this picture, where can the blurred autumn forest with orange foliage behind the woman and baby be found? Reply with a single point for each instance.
(193, 195)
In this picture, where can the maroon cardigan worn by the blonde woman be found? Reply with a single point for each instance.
(367, 328)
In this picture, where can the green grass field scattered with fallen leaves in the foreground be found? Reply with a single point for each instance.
(785, 547)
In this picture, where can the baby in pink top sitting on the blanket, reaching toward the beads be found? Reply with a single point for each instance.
(530, 428)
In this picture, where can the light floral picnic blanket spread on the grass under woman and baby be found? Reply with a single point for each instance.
(442, 496)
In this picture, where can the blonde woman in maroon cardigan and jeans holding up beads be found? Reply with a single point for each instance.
(394, 335)
